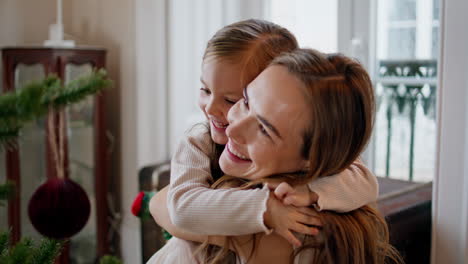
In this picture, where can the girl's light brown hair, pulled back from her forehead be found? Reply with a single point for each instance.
(253, 44)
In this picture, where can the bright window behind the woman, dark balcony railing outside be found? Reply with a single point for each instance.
(404, 73)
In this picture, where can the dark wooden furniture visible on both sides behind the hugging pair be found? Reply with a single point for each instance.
(405, 205)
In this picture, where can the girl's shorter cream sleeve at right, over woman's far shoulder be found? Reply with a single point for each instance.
(354, 187)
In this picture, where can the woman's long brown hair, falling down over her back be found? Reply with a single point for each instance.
(341, 109)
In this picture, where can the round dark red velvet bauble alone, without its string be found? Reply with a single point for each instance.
(59, 208)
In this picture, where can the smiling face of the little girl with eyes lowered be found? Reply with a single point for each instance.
(221, 89)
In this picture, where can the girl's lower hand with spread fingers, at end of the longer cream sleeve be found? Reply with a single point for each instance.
(284, 219)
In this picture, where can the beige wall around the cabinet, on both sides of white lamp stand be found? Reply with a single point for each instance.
(109, 24)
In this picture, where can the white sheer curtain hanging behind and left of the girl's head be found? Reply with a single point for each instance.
(190, 25)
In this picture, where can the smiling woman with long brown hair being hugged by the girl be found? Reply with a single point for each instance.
(309, 114)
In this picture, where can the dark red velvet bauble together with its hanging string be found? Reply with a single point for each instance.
(60, 207)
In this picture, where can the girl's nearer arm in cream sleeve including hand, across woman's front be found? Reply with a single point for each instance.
(194, 207)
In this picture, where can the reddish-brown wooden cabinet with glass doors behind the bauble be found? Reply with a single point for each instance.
(86, 155)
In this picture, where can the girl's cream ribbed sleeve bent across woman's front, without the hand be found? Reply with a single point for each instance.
(194, 207)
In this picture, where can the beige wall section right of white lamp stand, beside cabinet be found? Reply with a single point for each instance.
(111, 24)
